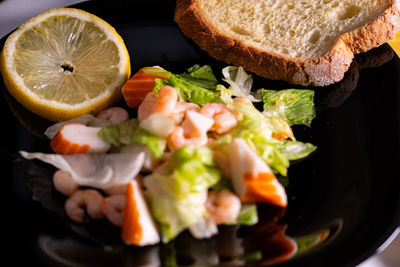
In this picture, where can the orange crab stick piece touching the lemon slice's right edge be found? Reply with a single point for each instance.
(143, 82)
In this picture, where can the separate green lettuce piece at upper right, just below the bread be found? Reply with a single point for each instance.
(294, 105)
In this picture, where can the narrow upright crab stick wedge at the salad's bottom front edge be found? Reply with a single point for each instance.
(138, 227)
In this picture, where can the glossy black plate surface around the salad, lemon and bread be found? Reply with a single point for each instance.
(344, 200)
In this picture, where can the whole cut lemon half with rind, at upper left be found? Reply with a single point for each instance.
(64, 63)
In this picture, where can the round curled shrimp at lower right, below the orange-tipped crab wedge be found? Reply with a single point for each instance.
(223, 206)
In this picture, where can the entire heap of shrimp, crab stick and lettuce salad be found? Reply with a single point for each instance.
(196, 154)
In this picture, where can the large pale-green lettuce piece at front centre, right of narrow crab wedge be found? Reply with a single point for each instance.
(177, 198)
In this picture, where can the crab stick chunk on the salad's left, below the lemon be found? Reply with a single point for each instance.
(76, 138)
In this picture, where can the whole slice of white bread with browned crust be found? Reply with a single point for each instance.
(309, 42)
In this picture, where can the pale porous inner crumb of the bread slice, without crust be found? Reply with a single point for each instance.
(298, 29)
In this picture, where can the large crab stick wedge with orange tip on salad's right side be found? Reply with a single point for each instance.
(252, 178)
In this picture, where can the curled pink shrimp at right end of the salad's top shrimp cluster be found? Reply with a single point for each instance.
(224, 120)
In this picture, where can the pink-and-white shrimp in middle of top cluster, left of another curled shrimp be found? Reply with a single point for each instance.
(193, 131)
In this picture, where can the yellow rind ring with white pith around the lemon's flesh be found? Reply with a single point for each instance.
(44, 107)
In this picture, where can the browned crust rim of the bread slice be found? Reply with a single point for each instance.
(321, 71)
